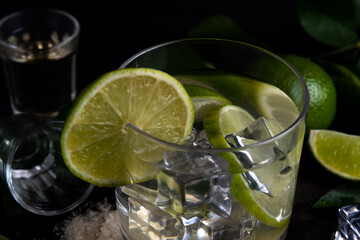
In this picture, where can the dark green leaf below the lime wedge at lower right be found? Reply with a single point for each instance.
(346, 194)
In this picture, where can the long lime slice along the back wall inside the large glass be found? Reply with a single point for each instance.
(267, 100)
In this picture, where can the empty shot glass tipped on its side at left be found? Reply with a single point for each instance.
(31, 164)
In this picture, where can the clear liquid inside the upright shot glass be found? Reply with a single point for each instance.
(41, 81)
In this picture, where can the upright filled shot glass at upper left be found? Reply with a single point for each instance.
(38, 51)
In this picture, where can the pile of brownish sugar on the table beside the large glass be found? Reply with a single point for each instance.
(97, 223)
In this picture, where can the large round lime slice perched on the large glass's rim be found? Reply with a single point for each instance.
(97, 144)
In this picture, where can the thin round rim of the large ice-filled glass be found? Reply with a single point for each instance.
(282, 134)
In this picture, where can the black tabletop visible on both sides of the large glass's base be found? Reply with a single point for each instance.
(306, 222)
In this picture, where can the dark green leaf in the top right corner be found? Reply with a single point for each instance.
(332, 22)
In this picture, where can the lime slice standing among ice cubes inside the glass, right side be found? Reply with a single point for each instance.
(218, 123)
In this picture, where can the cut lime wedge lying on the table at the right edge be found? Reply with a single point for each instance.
(337, 152)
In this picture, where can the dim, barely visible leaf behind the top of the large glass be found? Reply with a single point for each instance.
(221, 26)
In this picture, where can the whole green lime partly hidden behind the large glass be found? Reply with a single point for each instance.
(322, 91)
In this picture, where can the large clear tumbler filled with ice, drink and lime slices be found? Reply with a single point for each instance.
(245, 191)
